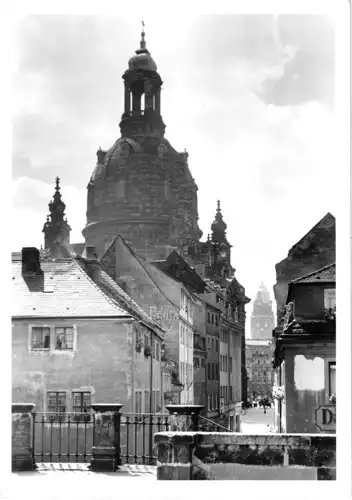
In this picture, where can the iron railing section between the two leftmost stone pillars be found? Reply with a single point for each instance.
(63, 437)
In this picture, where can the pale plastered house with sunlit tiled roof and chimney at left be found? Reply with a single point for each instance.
(72, 344)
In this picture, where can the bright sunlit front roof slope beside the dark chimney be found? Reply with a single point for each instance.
(62, 290)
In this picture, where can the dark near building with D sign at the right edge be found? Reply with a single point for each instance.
(305, 355)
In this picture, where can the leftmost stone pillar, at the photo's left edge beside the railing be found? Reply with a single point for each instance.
(22, 436)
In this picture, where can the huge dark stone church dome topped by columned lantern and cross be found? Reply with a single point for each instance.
(142, 188)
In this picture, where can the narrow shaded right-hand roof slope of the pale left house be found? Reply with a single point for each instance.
(109, 286)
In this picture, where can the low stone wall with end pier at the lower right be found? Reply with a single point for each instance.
(234, 456)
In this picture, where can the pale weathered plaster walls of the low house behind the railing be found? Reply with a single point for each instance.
(101, 364)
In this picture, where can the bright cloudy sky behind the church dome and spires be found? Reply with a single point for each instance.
(251, 98)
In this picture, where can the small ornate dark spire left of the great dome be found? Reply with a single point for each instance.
(56, 228)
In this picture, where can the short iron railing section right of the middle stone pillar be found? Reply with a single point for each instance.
(137, 436)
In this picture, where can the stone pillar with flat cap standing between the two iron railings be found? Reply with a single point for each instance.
(106, 440)
